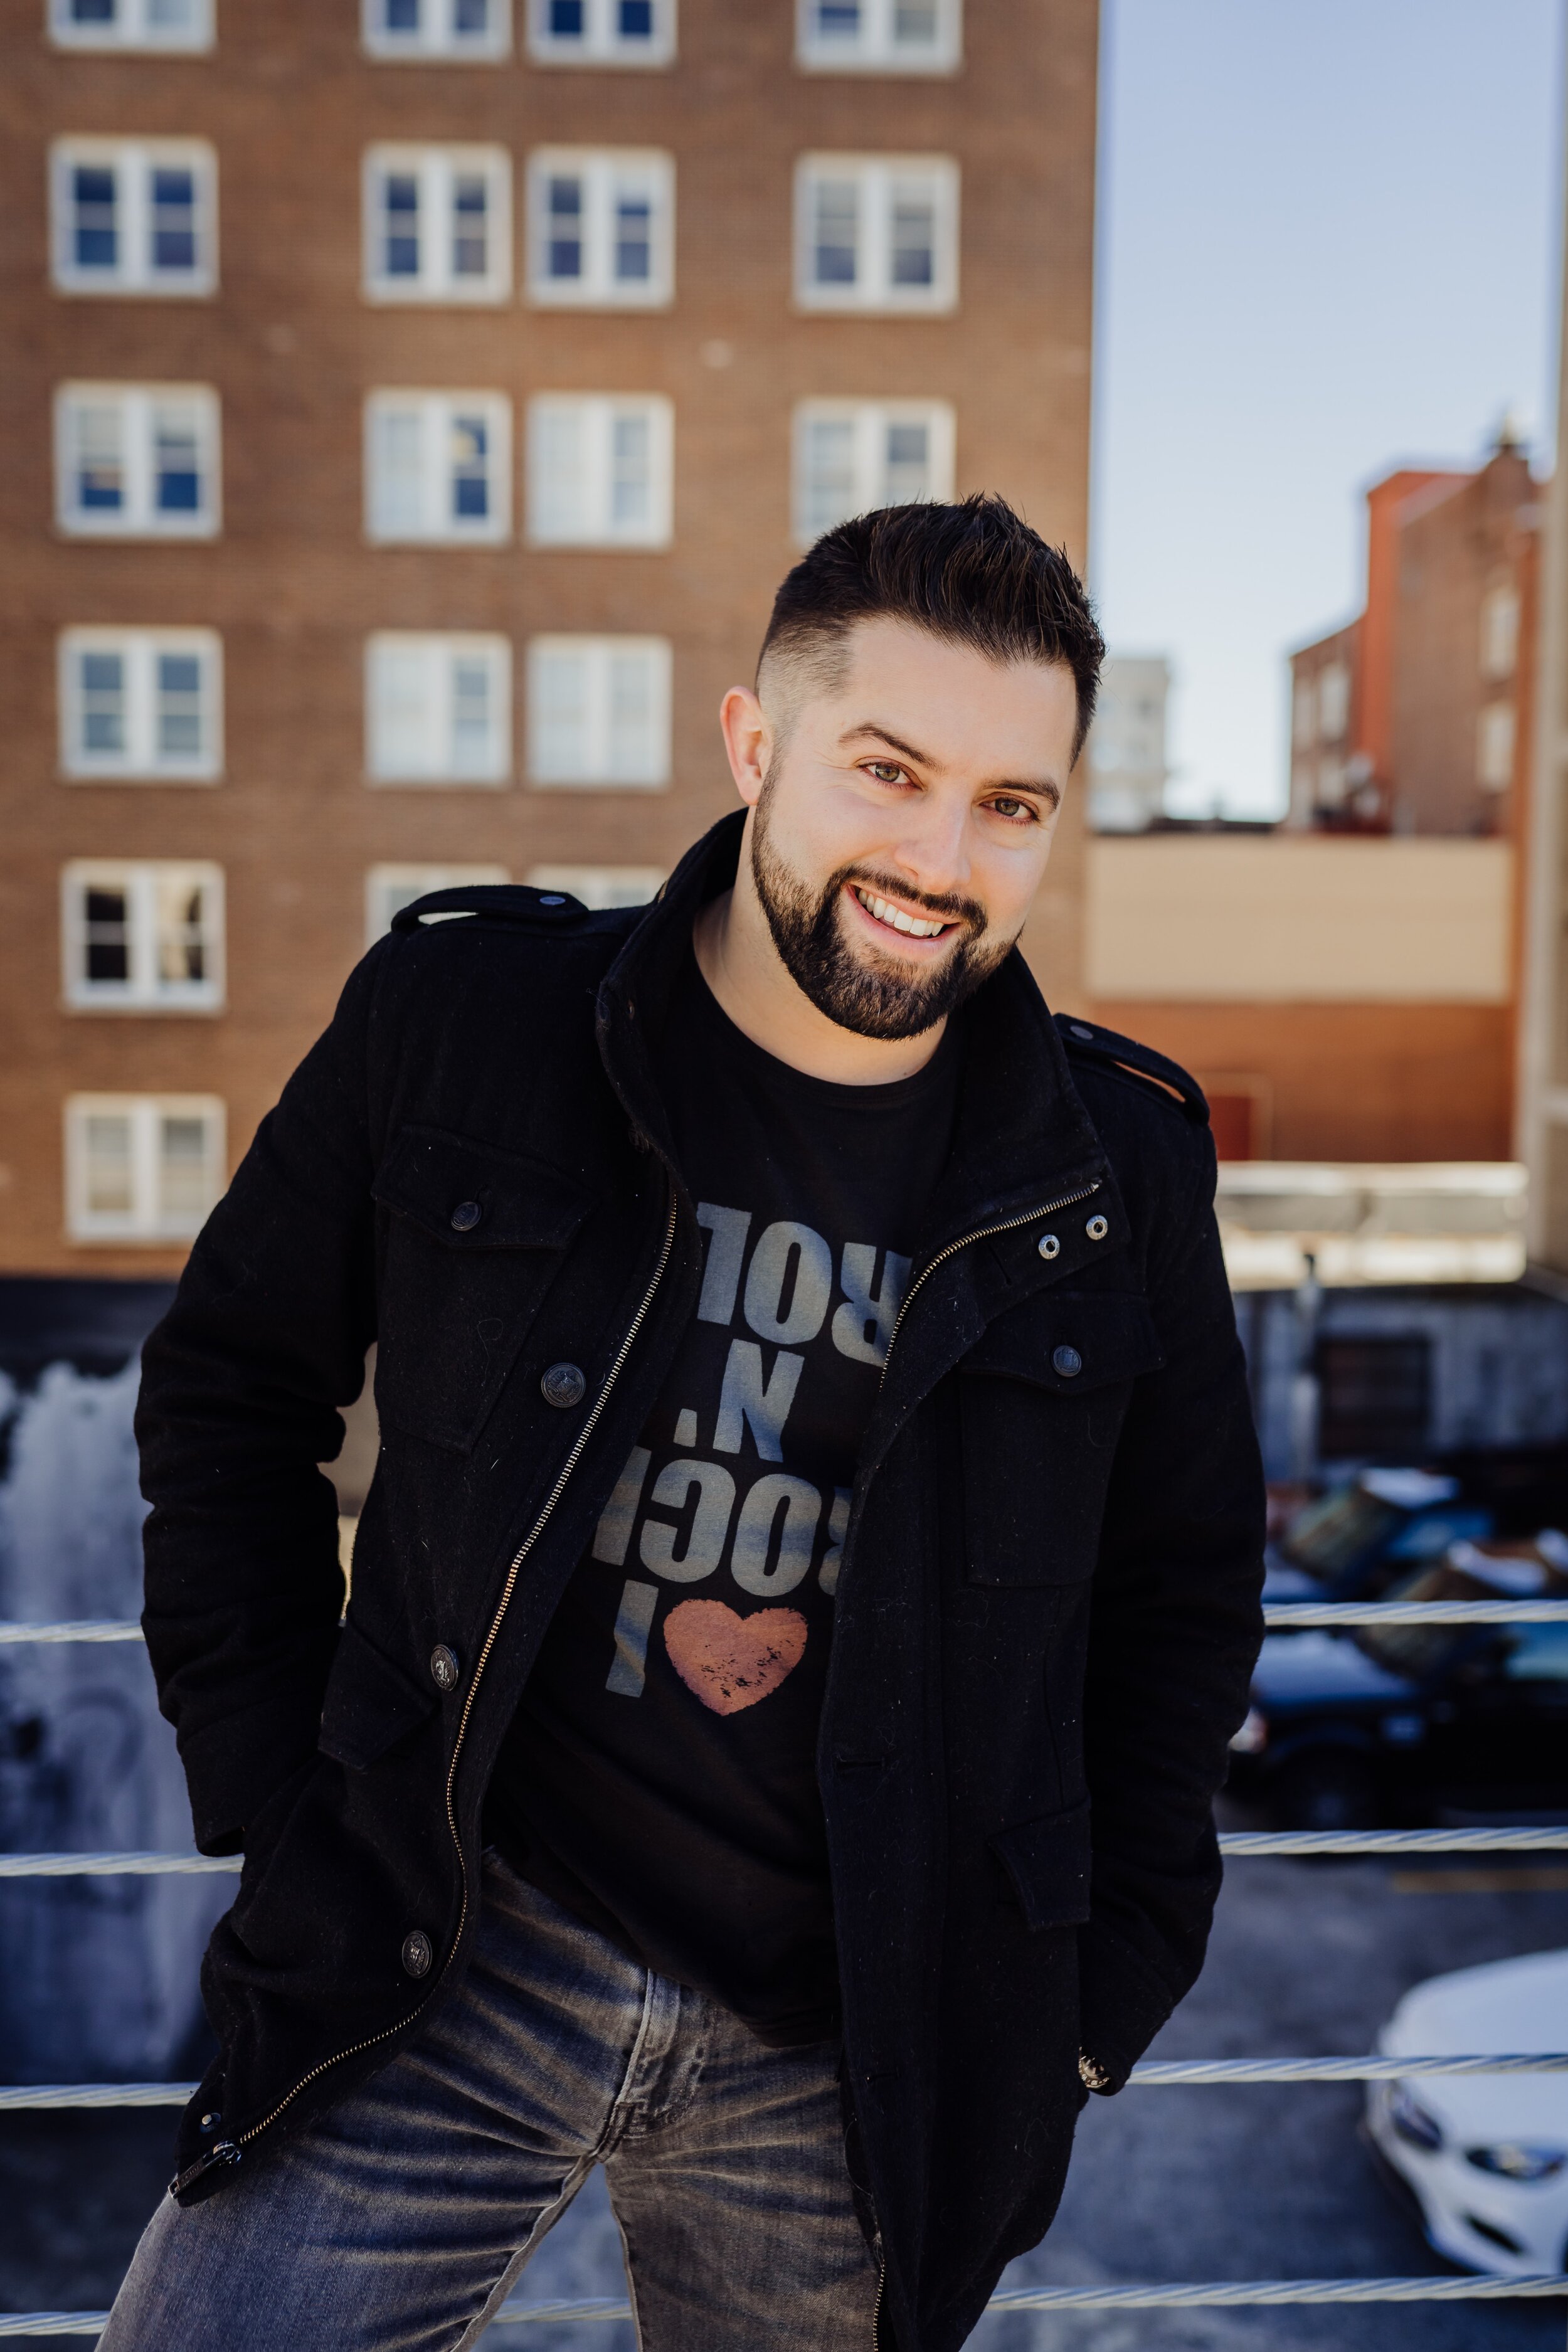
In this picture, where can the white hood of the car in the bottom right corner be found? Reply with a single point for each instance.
(1510, 2005)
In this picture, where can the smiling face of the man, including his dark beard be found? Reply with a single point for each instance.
(904, 824)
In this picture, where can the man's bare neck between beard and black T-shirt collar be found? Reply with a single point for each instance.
(746, 973)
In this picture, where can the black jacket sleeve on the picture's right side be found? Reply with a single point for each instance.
(1174, 1638)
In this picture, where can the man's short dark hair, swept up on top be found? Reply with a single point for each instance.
(970, 573)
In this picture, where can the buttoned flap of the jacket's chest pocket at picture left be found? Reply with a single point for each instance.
(521, 1203)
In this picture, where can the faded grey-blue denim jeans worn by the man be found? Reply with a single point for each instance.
(406, 2214)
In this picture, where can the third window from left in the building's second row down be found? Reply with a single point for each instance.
(601, 227)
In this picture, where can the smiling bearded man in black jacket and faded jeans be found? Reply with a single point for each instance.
(812, 1568)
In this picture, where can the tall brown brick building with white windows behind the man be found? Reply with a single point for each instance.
(410, 408)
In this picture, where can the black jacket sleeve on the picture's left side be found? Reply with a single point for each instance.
(239, 1405)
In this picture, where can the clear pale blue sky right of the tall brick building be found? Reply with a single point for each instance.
(1327, 248)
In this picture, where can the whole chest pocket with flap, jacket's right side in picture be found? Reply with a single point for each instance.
(1043, 1401)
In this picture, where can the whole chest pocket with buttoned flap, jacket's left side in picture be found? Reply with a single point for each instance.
(476, 1238)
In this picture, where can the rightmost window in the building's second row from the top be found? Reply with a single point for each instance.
(876, 234)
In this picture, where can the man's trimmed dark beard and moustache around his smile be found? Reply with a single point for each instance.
(866, 991)
